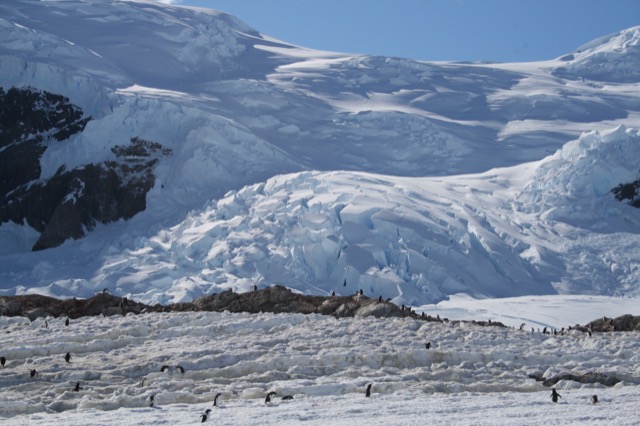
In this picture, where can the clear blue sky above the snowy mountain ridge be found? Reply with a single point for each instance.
(435, 30)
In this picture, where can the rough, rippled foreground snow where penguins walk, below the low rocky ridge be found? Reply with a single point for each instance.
(323, 362)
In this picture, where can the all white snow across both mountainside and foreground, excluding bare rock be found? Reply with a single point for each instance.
(470, 191)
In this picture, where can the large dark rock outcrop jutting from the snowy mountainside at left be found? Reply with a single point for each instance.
(71, 201)
